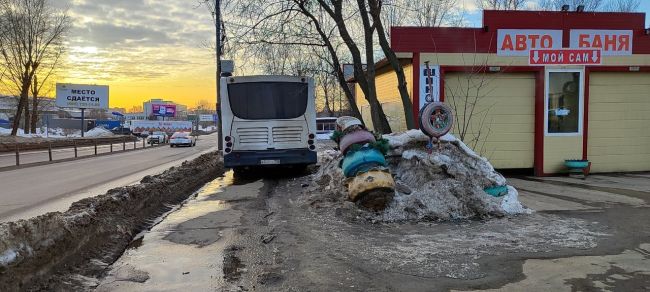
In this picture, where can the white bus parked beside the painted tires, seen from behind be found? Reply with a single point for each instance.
(268, 120)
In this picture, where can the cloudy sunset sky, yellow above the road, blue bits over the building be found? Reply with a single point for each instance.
(147, 49)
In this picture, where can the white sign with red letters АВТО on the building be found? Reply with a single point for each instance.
(518, 42)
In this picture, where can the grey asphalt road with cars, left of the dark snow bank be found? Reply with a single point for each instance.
(32, 191)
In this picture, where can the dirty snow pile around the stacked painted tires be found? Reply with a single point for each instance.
(444, 185)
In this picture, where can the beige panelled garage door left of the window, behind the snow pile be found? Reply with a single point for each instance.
(504, 115)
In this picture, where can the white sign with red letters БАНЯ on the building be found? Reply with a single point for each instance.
(611, 42)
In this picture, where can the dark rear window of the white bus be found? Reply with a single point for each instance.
(268, 100)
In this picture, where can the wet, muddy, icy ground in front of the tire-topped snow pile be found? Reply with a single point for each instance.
(289, 243)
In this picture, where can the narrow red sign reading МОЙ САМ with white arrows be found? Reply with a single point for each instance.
(565, 57)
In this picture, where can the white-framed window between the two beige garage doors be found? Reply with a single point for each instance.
(564, 92)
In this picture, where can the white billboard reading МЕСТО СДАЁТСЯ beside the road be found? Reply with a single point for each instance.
(82, 96)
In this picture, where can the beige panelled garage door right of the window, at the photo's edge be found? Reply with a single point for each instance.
(619, 122)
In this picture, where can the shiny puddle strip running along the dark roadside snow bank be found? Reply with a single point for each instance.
(185, 250)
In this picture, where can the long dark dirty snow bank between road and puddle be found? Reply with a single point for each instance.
(41, 253)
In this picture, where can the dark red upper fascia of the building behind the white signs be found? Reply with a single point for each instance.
(480, 40)
